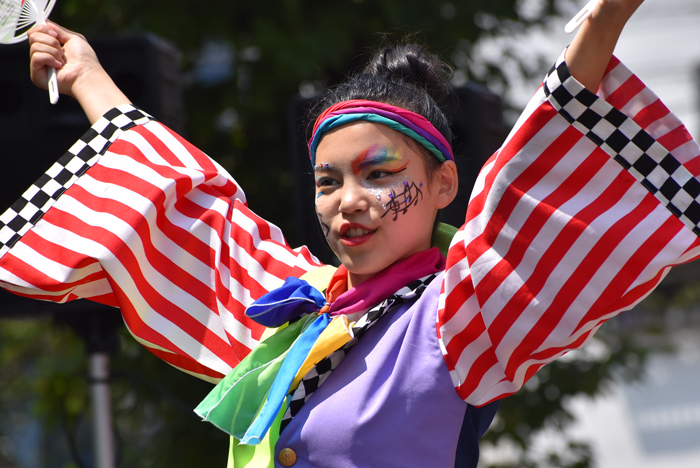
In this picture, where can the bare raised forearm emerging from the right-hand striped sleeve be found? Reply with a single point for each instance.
(592, 48)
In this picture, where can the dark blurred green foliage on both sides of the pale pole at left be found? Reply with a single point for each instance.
(44, 383)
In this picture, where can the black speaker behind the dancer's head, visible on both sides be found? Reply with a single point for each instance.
(476, 117)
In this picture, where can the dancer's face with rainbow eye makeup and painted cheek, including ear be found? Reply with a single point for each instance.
(373, 199)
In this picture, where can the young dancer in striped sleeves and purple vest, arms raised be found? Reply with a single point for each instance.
(590, 201)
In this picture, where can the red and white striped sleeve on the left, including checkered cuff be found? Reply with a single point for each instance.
(135, 217)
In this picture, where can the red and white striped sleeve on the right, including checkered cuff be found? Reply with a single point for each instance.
(584, 209)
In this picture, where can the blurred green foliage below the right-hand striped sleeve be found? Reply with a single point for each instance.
(541, 404)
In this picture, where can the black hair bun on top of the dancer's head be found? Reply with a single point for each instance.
(411, 63)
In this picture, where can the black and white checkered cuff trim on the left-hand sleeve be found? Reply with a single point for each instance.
(28, 210)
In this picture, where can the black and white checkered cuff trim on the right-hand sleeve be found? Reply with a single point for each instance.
(626, 142)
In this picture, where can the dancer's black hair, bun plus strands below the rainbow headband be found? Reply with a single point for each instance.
(404, 75)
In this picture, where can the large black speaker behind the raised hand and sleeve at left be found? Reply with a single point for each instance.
(34, 134)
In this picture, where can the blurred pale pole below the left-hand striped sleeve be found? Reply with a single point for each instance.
(102, 429)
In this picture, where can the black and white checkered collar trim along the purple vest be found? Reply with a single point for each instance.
(317, 375)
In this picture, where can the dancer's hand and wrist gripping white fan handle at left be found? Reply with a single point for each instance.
(79, 73)
